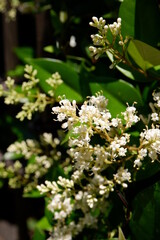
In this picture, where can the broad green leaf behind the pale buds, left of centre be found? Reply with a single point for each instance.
(46, 67)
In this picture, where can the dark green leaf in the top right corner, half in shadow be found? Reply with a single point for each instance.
(141, 20)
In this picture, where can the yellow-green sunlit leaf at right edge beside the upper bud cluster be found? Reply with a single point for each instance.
(143, 54)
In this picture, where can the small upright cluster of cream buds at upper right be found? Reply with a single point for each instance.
(108, 35)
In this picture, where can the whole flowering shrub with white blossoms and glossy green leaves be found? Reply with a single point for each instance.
(99, 174)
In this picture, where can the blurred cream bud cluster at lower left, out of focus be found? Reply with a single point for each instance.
(27, 161)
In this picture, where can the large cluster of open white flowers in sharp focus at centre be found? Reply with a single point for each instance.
(98, 145)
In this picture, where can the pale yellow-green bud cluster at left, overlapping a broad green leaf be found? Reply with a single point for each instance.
(29, 94)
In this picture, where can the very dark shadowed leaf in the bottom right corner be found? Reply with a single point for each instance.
(145, 222)
